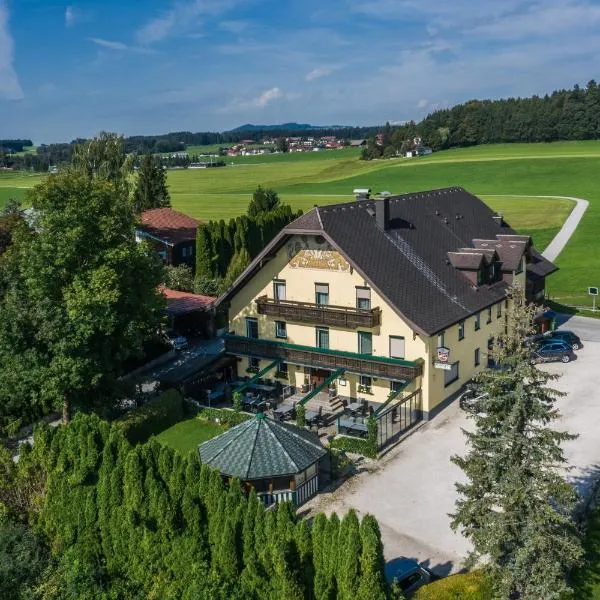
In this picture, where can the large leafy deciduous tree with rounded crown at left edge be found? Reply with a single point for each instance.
(78, 298)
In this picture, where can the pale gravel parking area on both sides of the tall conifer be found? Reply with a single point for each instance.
(411, 490)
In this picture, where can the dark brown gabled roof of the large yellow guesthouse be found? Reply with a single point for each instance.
(408, 264)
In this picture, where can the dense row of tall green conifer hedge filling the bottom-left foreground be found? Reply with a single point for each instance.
(143, 521)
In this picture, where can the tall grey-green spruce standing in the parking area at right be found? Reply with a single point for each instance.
(516, 505)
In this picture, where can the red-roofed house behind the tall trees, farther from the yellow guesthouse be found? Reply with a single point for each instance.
(172, 234)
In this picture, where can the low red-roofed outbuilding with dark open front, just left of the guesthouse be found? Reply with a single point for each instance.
(190, 313)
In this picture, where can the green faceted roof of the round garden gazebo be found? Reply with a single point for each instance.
(261, 448)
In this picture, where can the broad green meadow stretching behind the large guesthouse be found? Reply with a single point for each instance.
(506, 176)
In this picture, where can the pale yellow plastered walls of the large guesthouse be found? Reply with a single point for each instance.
(304, 262)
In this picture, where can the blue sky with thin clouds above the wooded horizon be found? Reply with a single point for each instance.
(70, 69)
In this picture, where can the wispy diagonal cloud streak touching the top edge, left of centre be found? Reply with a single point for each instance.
(181, 15)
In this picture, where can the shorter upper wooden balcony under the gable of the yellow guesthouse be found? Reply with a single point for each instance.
(319, 314)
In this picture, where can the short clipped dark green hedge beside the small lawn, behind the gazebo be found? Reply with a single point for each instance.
(152, 418)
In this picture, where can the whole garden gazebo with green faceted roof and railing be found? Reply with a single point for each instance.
(280, 461)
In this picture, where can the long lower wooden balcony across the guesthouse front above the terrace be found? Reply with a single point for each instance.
(361, 364)
